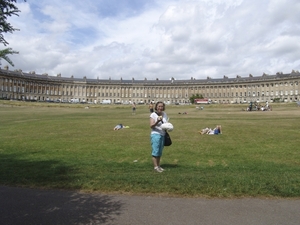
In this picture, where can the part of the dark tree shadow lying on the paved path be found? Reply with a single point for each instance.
(33, 206)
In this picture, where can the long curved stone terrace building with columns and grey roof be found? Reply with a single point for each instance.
(42, 87)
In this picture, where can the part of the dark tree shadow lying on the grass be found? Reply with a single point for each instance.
(17, 170)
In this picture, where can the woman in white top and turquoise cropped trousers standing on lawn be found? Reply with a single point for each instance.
(157, 118)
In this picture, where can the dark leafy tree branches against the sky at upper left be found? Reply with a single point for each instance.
(7, 9)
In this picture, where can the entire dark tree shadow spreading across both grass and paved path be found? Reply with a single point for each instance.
(36, 206)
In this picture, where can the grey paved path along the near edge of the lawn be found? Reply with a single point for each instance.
(33, 206)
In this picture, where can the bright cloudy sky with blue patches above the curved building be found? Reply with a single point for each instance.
(156, 39)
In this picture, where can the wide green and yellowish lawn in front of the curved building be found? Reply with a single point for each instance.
(64, 146)
